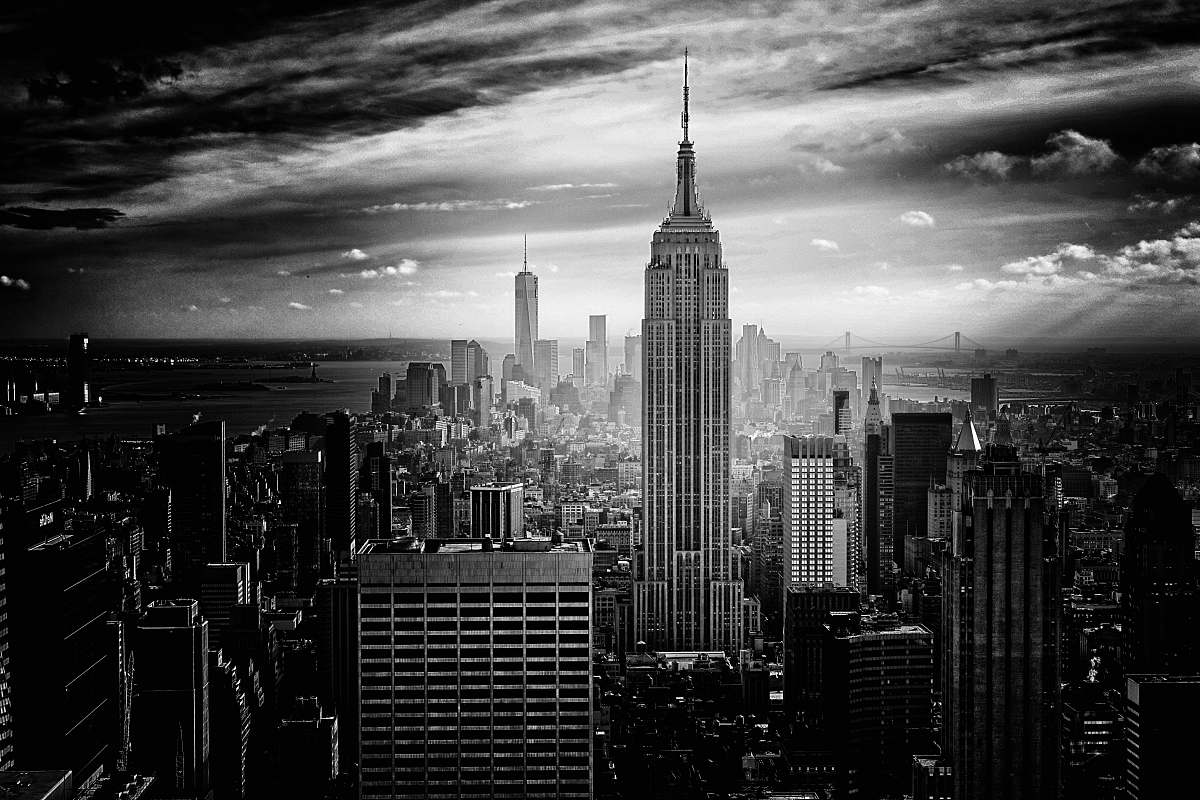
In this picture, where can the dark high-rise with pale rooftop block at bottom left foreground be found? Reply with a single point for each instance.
(171, 708)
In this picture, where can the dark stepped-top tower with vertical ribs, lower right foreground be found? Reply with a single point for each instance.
(1000, 629)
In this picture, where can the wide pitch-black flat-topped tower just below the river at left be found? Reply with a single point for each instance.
(193, 465)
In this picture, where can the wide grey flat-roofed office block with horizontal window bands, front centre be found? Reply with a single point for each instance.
(476, 670)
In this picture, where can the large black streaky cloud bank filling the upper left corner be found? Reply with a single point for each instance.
(136, 91)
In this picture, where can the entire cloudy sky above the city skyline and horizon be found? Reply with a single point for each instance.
(899, 169)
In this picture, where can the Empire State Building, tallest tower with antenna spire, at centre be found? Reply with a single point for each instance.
(687, 596)
